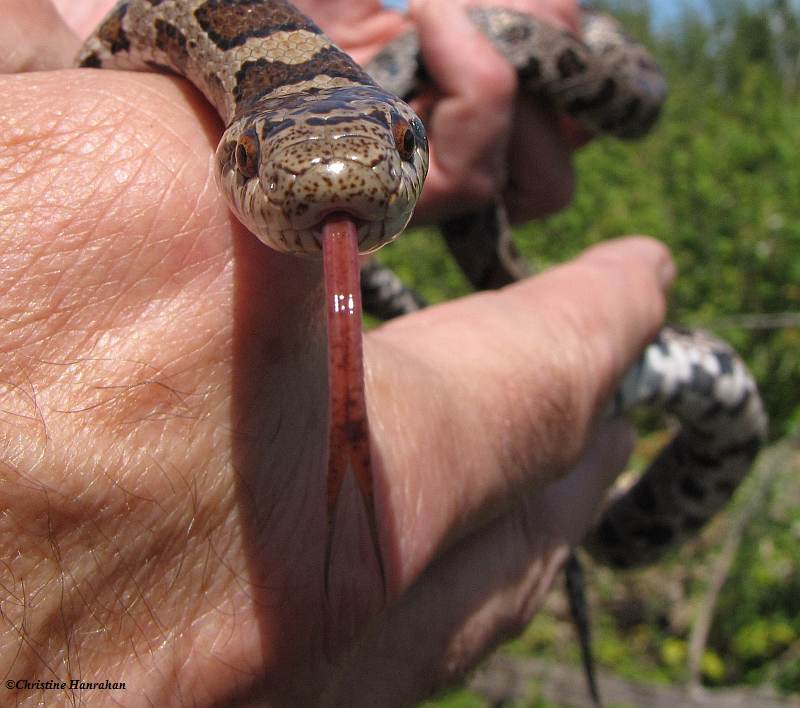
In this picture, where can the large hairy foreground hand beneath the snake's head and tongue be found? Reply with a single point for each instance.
(162, 427)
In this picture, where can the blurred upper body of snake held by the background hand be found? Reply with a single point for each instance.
(604, 80)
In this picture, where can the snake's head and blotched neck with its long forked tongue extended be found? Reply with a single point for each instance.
(309, 136)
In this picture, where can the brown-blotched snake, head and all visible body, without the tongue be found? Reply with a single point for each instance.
(309, 134)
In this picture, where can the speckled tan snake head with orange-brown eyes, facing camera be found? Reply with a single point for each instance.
(295, 159)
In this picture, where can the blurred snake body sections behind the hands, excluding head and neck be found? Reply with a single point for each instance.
(611, 85)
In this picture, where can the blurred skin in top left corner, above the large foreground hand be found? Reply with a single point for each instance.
(33, 37)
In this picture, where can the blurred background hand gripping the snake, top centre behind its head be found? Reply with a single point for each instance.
(485, 138)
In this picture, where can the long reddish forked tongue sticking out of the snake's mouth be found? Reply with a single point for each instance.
(348, 428)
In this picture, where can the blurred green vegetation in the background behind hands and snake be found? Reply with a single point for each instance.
(719, 182)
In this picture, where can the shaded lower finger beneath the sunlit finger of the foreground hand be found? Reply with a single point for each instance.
(485, 589)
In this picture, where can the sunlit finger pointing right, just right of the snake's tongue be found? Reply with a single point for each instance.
(497, 393)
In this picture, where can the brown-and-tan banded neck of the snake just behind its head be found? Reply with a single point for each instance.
(235, 53)
